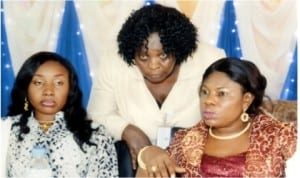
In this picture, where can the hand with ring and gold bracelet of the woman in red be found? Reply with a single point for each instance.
(158, 164)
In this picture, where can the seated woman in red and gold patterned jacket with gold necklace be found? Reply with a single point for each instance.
(235, 138)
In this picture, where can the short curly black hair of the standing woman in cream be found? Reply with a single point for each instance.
(177, 34)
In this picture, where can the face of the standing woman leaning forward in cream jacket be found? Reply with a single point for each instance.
(153, 62)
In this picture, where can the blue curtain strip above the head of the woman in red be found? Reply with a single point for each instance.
(228, 36)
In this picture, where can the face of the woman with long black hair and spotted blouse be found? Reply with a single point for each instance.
(48, 89)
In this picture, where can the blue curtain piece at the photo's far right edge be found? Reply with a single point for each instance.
(289, 90)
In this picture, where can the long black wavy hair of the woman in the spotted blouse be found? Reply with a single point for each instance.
(74, 113)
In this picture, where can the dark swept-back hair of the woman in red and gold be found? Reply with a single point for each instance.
(244, 73)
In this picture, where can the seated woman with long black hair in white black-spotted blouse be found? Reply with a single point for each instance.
(46, 111)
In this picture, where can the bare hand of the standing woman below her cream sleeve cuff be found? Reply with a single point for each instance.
(135, 139)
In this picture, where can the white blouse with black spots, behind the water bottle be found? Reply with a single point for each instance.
(65, 156)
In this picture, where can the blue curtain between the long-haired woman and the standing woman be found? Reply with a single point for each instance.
(71, 45)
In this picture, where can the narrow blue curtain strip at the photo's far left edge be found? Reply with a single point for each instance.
(7, 73)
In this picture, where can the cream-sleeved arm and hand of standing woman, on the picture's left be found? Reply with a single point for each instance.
(104, 108)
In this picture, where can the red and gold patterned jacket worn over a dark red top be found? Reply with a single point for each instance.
(271, 143)
